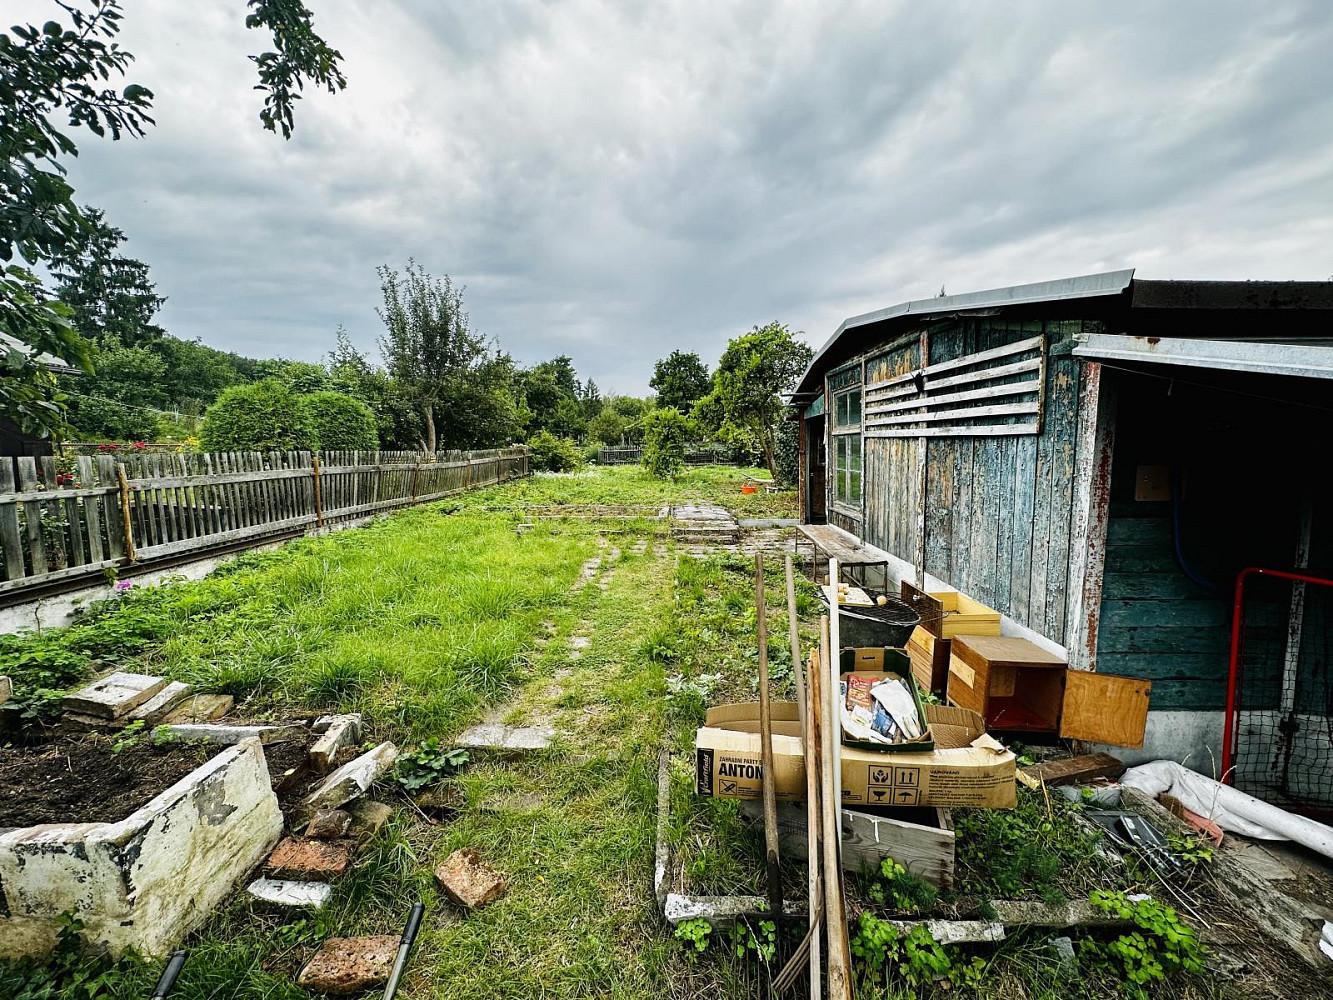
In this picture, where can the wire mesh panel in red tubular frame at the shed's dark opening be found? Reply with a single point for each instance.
(1280, 706)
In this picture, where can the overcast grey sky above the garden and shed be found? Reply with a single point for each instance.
(614, 181)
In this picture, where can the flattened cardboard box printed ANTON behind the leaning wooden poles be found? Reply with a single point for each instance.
(967, 770)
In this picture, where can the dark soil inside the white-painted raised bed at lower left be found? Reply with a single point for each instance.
(85, 779)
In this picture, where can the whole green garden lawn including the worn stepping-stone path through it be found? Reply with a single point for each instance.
(433, 619)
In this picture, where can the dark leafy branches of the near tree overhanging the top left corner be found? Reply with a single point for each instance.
(63, 71)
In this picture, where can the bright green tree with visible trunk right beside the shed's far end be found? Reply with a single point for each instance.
(752, 371)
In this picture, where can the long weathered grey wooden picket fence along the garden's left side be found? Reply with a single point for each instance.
(111, 513)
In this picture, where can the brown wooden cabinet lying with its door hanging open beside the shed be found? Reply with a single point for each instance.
(1019, 687)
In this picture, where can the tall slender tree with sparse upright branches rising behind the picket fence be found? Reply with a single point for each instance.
(430, 349)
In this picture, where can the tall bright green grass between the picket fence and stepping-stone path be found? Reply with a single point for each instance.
(417, 621)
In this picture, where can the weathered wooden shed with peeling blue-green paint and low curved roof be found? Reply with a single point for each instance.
(1096, 458)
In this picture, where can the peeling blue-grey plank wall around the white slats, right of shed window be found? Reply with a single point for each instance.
(996, 510)
